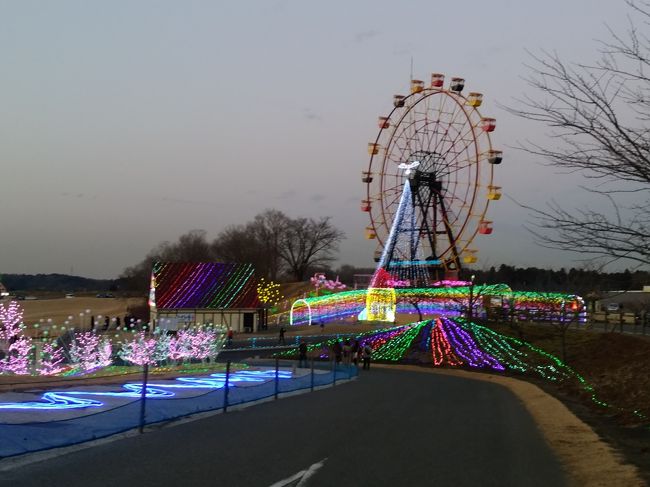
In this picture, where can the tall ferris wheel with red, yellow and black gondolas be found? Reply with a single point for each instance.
(436, 140)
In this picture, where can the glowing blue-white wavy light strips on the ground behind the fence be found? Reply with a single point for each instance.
(65, 400)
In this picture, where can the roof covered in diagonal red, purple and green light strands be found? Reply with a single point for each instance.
(205, 285)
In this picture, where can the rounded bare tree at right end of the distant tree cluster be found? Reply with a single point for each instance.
(307, 243)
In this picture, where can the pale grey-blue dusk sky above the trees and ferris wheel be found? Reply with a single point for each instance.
(127, 123)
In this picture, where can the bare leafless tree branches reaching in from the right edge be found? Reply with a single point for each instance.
(599, 116)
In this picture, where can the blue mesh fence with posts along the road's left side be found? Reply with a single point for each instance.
(28, 435)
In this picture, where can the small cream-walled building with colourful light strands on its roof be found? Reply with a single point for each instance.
(185, 294)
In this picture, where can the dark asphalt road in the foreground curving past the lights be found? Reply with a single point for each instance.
(388, 428)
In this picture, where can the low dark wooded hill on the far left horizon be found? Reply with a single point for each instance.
(55, 282)
